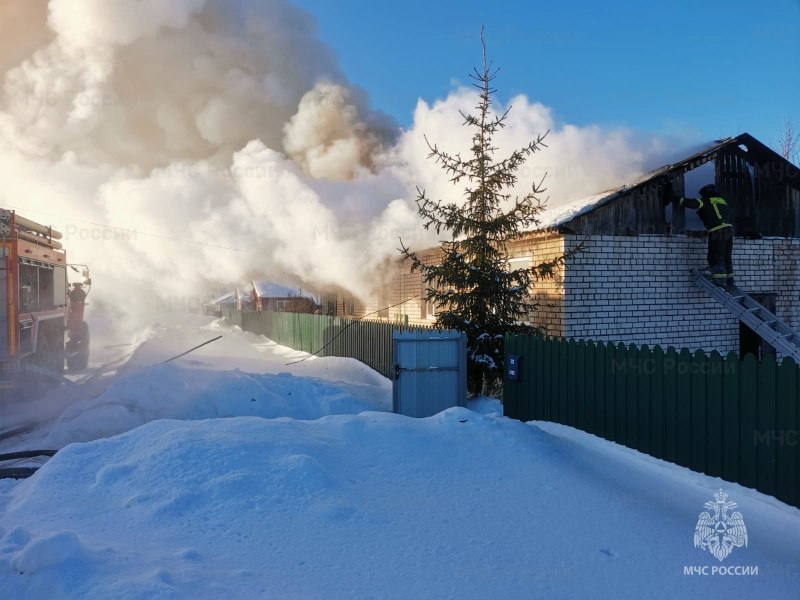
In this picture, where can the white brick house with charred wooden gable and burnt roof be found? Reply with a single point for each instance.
(631, 281)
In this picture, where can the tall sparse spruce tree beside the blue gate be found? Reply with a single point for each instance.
(473, 286)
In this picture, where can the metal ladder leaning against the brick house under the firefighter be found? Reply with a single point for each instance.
(769, 327)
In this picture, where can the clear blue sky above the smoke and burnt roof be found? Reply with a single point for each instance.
(702, 69)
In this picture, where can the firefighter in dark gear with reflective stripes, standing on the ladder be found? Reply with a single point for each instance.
(713, 212)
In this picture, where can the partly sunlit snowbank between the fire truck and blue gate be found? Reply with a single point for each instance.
(239, 374)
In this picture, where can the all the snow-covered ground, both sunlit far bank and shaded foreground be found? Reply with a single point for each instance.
(230, 473)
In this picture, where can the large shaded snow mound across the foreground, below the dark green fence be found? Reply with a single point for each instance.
(376, 505)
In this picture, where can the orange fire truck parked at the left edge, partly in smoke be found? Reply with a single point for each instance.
(39, 308)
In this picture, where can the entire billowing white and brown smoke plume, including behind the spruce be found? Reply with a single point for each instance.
(185, 145)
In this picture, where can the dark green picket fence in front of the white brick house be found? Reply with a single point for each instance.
(726, 417)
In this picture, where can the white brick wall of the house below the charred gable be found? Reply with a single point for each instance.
(639, 289)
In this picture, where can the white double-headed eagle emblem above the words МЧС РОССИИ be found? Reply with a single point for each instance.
(718, 531)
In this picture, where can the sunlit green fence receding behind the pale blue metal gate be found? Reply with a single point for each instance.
(367, 341)
